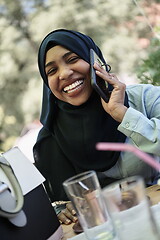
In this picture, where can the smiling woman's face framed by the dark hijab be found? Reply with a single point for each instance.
(68, 75)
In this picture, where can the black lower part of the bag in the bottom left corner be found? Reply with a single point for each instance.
(42, 221)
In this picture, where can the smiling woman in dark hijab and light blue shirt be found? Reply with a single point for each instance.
(75, 119)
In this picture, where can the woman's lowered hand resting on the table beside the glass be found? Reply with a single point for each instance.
(68, 215)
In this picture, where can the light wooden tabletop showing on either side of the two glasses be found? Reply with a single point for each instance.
(152, 192)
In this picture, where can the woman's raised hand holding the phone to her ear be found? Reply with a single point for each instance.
(115, 107)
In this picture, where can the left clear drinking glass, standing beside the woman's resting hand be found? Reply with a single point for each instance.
(85, 193)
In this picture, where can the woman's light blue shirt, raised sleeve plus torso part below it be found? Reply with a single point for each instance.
(141, 125)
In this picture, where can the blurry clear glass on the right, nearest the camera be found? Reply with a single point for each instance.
(129, 209)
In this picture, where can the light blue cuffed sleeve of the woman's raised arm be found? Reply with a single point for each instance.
(141, 122)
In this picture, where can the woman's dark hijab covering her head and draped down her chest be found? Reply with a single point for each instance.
(66, 144)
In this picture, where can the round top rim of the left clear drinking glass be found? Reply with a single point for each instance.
(79, 177)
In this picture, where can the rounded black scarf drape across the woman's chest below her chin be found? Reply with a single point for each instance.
(78, 129)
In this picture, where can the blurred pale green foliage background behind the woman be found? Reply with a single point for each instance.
(127, 31)
